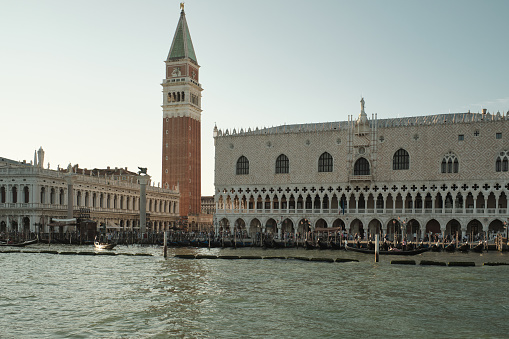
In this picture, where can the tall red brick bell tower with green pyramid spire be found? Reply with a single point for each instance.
(182, 121)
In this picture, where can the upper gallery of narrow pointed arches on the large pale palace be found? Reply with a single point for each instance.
(430, 202)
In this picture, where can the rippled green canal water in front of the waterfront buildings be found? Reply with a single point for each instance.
(122, 296)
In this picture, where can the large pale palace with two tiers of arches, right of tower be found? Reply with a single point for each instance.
(445, 173)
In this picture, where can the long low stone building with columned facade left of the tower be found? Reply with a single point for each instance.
(31, 196)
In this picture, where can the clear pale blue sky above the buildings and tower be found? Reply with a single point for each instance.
(83, 79)
